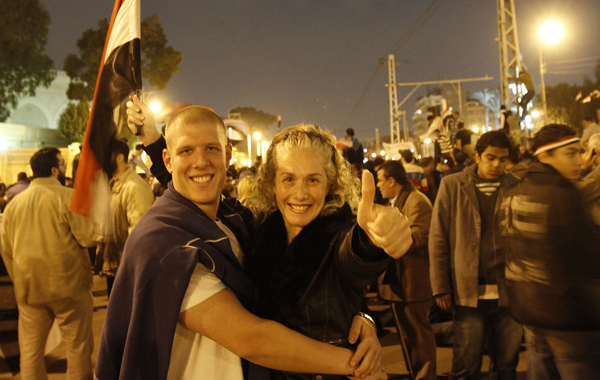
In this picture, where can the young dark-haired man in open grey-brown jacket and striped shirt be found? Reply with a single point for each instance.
(467, 262)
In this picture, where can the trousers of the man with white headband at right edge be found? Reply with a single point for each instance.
(566, 355)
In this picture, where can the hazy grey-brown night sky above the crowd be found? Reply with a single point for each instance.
(312, 61)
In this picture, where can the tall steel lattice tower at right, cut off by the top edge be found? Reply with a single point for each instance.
(510, 55)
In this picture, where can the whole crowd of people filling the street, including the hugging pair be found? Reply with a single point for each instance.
(260, 273)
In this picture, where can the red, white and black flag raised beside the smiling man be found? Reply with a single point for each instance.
(119, 75)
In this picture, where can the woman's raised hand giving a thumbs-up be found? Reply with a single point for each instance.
(386, 226)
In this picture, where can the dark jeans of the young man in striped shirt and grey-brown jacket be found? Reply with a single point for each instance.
(472, 328)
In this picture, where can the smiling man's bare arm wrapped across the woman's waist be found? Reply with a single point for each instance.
(223, 319)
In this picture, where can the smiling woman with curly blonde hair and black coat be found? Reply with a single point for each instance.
(312, 261)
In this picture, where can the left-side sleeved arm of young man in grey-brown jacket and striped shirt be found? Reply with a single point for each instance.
(439, 246)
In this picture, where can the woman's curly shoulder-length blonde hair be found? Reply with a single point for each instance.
(344, 186)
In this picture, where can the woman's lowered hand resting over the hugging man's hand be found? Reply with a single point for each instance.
(368, 352)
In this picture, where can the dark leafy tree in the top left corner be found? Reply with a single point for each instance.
(23, 66)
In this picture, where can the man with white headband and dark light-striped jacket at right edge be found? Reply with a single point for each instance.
(553, 266)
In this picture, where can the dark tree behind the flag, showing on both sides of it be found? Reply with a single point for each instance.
(159, 61)
